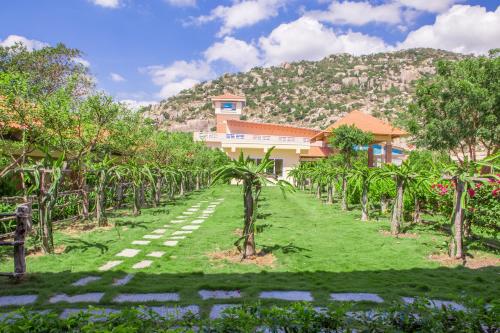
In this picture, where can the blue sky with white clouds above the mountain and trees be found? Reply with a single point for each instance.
(144, 51)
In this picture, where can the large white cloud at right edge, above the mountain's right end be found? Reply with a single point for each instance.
(464, 29)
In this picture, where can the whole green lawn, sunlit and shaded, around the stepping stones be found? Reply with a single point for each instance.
(317, 247)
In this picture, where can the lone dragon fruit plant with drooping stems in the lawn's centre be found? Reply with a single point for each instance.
(253, 177)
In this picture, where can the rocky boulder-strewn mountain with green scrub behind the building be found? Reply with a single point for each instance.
(308, 93)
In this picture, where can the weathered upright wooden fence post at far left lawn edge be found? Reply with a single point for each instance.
(23, 221)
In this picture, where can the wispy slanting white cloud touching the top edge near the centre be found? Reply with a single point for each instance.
(242, 14)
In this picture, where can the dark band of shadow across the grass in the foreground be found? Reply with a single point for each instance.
(438, 283)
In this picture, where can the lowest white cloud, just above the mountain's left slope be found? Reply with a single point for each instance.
(179, 76)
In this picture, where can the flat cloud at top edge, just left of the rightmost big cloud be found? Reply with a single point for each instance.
(358, 13)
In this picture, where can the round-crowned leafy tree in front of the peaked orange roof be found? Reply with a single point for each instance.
(346, 139)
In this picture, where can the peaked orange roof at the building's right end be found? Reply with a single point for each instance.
(366, 123)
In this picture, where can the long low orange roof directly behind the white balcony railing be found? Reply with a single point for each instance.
(247, 127)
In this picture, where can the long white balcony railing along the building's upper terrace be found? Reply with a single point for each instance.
(250, 139)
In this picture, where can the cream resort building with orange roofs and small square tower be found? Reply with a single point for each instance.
(292, 144)
